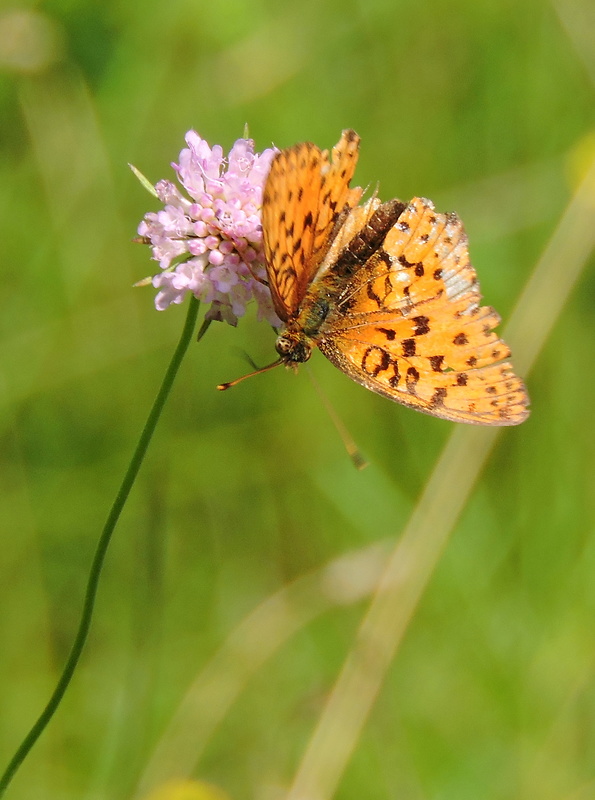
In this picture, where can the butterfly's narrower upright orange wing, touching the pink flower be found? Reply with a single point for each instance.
(306, 195)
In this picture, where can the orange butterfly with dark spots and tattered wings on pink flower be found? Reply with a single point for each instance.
(386, 291)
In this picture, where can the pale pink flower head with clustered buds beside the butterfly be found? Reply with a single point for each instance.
(208, 240)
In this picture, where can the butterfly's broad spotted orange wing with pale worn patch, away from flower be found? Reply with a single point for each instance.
(408, 324)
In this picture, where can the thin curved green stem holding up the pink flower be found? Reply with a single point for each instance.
(102, 546)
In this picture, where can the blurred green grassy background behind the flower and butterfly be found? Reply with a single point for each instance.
(485, 106)
